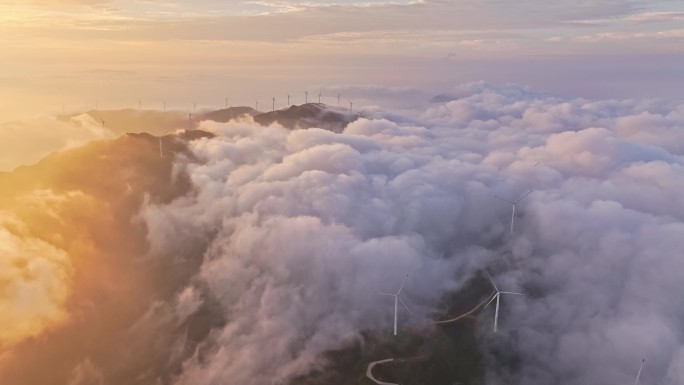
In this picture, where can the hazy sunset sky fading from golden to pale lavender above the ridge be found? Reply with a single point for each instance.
(76, 54)
